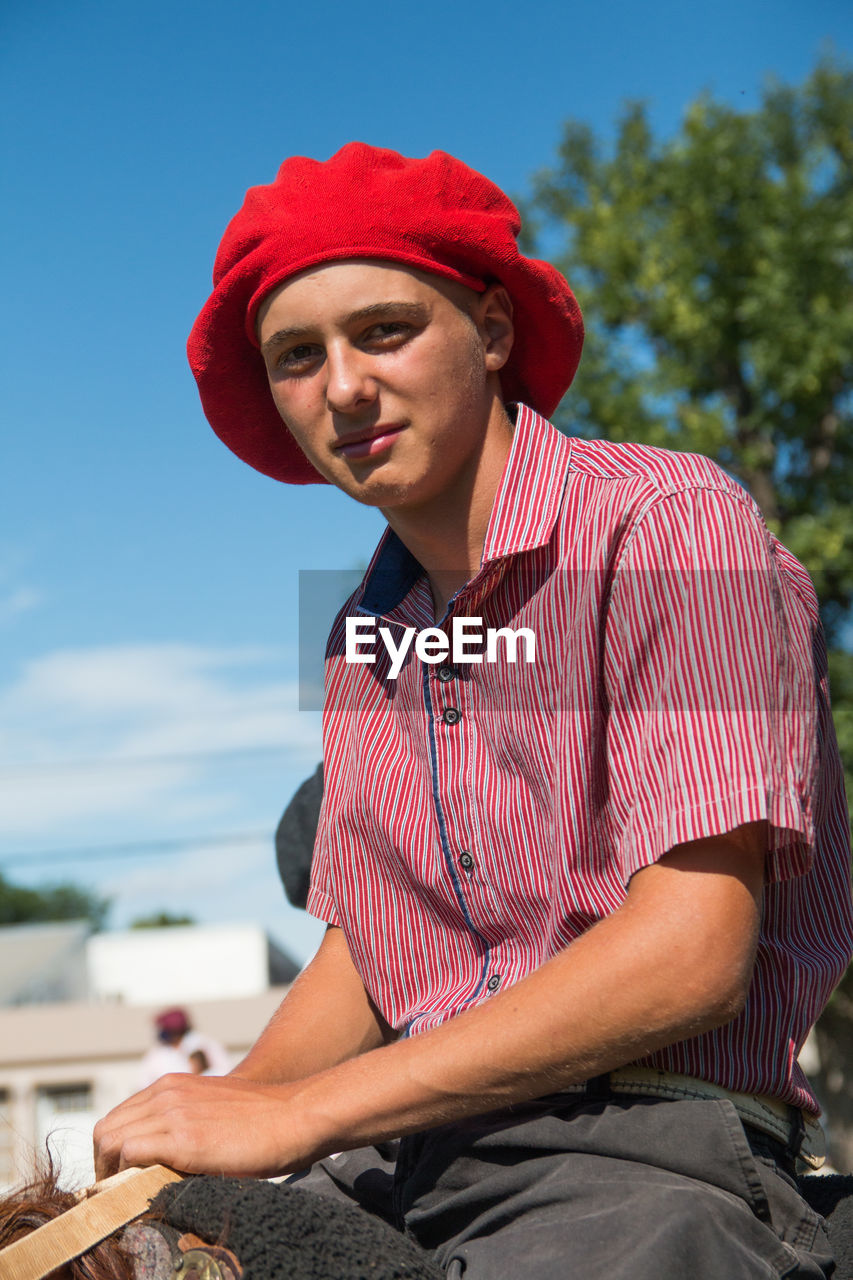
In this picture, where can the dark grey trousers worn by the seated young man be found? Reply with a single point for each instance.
(571, 1188)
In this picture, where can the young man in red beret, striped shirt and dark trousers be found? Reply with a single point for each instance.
(583, 909)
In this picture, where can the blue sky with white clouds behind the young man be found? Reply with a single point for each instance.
(148, 579)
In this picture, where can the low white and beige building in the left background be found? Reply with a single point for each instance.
(76, 1020)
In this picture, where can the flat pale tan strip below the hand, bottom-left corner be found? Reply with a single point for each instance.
(102, 1210)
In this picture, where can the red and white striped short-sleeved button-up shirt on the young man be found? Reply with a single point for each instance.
(478, 817)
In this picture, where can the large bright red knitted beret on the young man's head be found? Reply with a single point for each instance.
(367, 203)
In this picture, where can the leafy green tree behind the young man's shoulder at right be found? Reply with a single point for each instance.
(715, 271)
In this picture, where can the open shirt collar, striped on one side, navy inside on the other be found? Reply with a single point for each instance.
(523, 516)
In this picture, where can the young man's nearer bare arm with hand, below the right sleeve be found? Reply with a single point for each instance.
(673, 962)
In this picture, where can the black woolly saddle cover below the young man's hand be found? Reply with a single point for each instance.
(280, 1233)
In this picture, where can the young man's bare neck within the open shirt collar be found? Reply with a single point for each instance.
(448, 536)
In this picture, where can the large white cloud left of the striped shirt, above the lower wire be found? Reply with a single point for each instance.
(133, 733)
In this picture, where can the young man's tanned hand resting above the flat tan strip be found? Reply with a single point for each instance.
(203, 1124)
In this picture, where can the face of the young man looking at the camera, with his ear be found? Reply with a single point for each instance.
(387, 378)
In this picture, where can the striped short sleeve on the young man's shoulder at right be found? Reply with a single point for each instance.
(709, 685)
